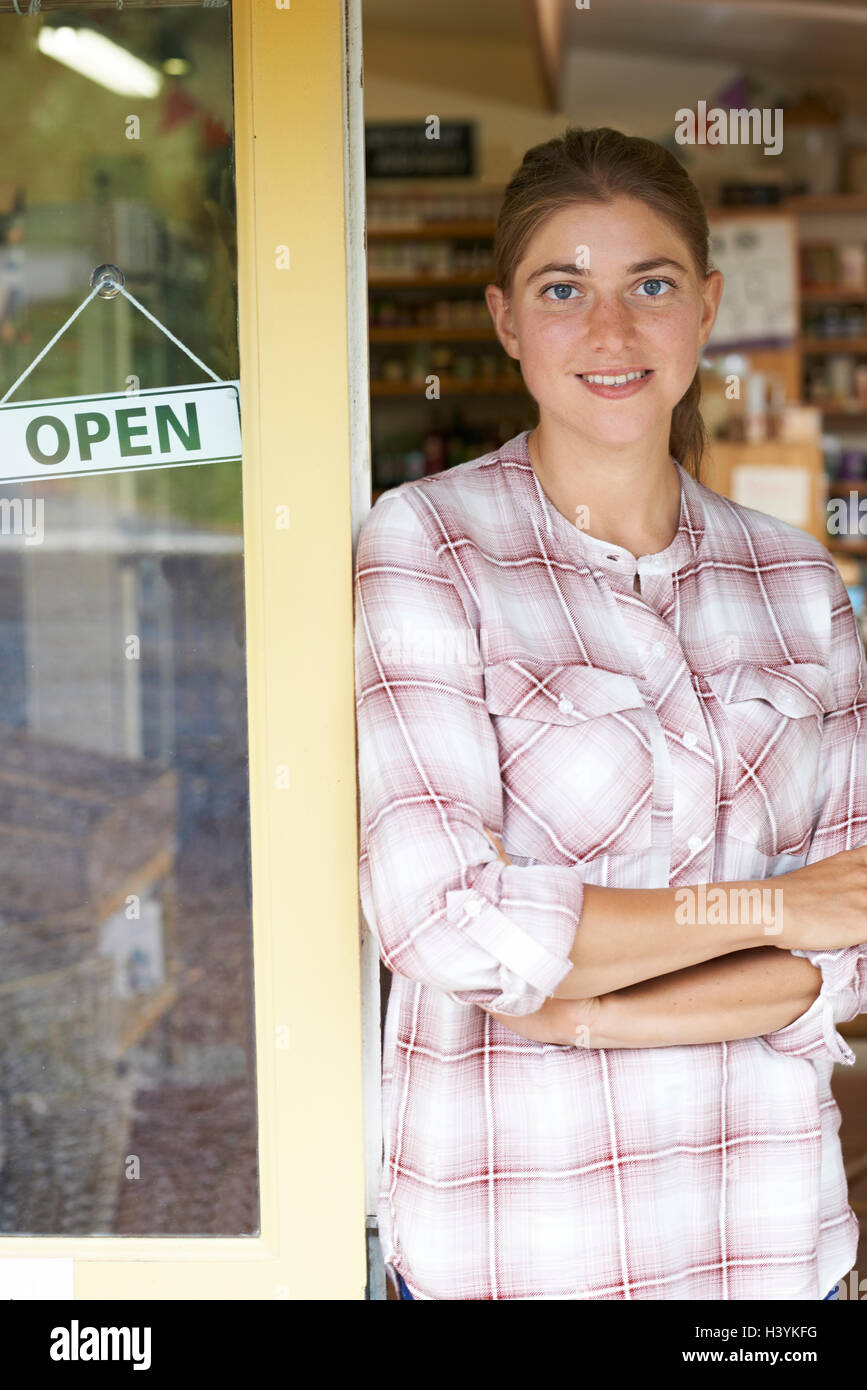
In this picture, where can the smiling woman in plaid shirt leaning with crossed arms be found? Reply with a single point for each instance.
(600, 707)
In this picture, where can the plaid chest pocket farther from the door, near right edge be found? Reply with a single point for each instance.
(773, 726)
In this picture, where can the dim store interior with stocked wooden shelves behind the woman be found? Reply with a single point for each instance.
(456, 94)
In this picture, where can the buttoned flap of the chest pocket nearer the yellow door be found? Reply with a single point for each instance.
(558, 693)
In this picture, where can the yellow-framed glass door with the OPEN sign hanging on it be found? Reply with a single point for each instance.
(181, 1077)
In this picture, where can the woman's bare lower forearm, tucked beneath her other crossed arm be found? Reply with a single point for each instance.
(741, 996)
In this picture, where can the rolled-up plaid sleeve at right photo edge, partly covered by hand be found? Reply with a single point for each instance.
(840, 824)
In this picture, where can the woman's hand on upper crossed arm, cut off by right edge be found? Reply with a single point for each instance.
(825, 906)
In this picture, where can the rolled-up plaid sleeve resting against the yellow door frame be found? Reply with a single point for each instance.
(444, 907)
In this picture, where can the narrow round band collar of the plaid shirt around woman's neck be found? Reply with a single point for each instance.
(515, 458)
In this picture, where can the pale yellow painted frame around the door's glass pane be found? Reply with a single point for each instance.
(299, 408)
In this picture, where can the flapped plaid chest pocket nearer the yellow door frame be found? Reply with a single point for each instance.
(576, 760)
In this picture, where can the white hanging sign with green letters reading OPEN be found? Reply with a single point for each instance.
(165, 429)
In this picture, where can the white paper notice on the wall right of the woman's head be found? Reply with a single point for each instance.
(759, 262)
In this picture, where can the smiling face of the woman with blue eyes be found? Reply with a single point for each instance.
(608, 290)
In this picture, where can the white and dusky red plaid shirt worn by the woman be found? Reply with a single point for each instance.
(709, 729)
